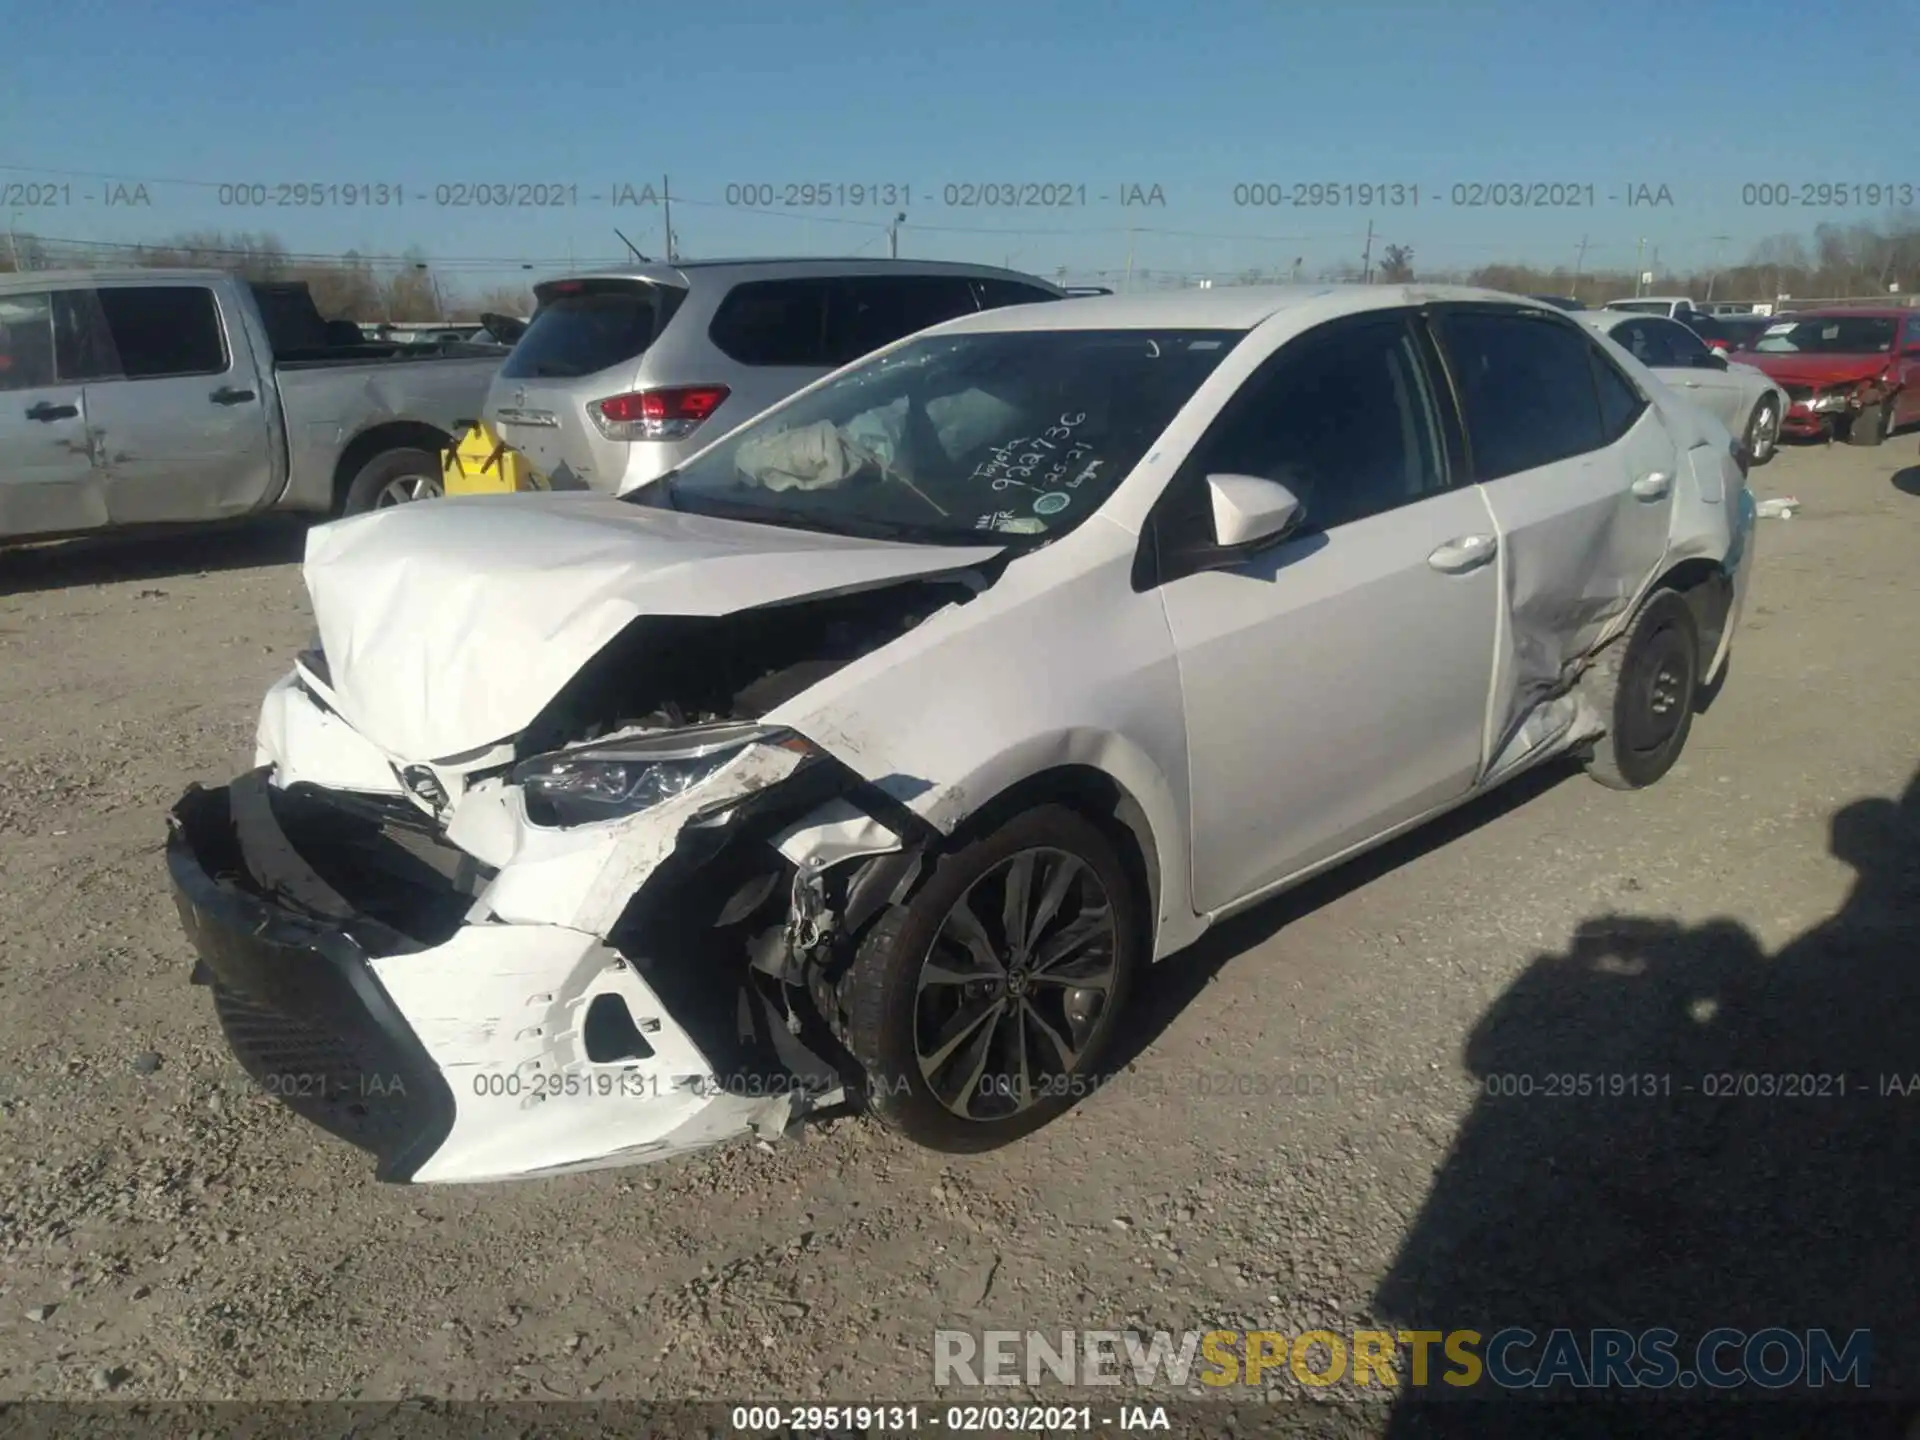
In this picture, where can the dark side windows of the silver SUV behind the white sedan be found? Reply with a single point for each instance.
(825, 324)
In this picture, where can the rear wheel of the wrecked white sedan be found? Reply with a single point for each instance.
(1646, 686)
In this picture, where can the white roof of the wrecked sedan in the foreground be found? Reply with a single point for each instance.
(1226, 308)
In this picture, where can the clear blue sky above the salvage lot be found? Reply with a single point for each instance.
(1195, 99)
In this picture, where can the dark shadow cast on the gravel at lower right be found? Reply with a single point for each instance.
(1702, 1201)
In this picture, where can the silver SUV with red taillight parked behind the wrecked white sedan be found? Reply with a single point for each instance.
(627, 373)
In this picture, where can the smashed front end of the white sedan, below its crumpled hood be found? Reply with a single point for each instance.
(612, 940)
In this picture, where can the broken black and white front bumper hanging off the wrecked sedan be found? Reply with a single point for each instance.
(450, 1049)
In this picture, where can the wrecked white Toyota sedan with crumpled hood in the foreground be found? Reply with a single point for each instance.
(871, 756)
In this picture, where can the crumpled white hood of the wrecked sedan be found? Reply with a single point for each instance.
(450, 625)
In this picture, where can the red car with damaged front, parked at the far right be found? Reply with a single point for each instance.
(1848, 373)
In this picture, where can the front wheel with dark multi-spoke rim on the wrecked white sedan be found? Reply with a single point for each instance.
(982, 1009)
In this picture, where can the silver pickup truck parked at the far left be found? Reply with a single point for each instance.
(178, 396)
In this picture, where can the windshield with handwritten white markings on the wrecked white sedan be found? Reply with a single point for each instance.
(1020, 433)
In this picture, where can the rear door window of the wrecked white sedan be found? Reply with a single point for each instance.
(1527, 391)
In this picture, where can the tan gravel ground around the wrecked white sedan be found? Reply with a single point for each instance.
(1297, 1141)
